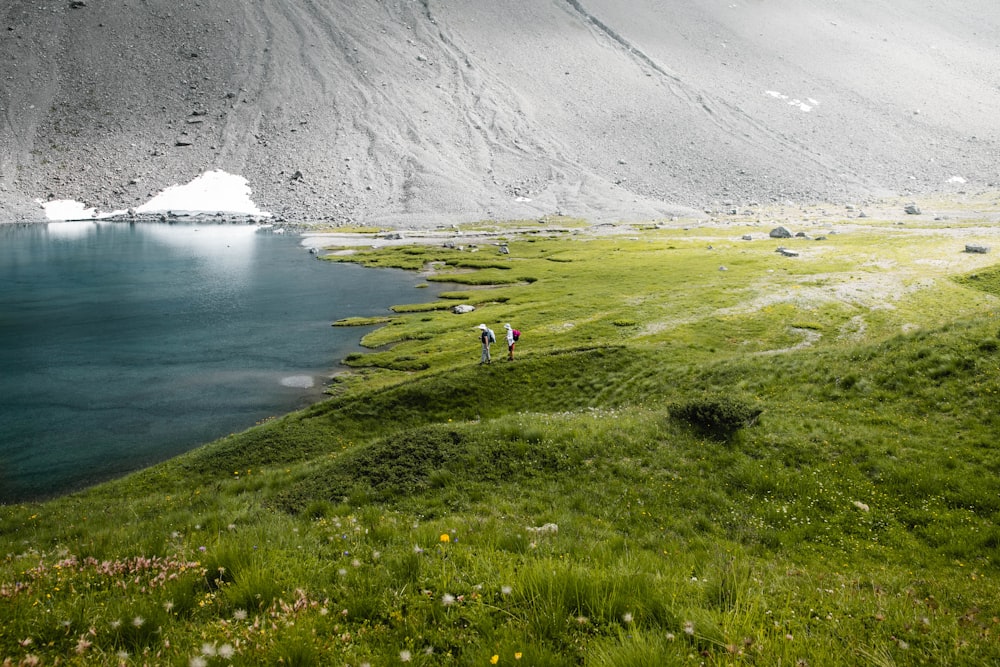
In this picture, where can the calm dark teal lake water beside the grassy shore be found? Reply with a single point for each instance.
(123, 345)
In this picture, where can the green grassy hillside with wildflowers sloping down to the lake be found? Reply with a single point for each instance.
(572, 507)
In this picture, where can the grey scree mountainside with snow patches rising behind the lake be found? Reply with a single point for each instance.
(425, 112)
